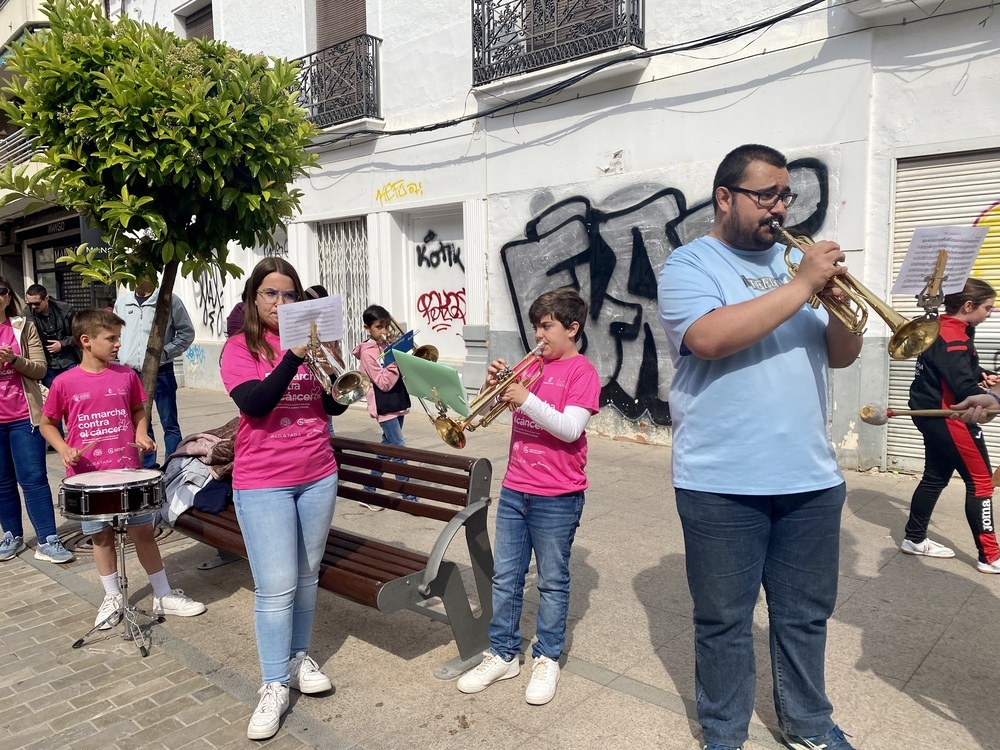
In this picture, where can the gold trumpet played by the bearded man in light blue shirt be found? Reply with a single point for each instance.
(909, 337)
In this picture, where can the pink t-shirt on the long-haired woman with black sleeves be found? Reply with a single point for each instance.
(289, 446)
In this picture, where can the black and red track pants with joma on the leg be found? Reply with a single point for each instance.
(949, 446)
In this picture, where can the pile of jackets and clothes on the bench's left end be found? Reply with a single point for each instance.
(199, 473)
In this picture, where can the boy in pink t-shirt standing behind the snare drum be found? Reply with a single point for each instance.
(102, 404)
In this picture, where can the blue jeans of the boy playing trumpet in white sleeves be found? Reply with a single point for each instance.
(548, 526)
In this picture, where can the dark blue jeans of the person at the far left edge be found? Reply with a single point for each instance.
(22, 461)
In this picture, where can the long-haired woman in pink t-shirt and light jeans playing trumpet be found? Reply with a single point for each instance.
(284, 487)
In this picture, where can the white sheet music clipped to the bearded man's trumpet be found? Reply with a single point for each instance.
(962, 244)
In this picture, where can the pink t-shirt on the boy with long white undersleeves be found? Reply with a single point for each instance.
(540, 463)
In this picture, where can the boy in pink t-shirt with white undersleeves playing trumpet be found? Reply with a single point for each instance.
(542, 497)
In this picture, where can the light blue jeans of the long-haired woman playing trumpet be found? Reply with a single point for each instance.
(285, 531)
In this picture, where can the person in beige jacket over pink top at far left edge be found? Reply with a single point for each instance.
(22, 447)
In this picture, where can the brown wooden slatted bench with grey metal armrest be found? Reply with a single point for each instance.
(452, 489)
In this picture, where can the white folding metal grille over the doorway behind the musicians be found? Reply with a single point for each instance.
(343, 270)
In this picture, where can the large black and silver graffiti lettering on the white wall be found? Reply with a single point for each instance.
(613, 256)
